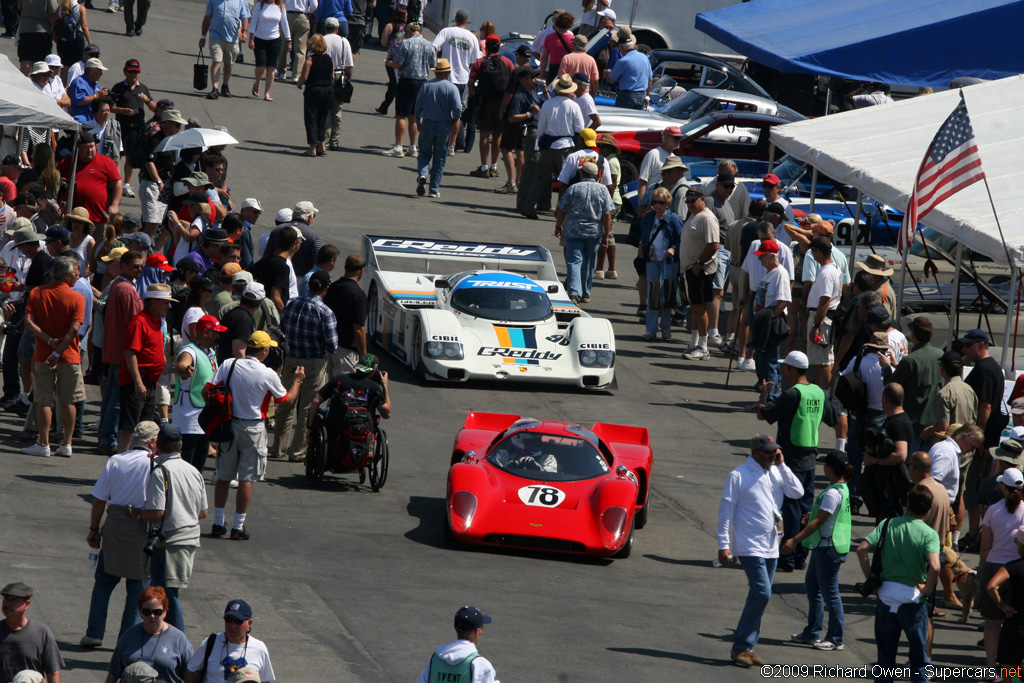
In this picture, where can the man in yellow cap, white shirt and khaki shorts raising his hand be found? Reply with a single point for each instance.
(252, 386)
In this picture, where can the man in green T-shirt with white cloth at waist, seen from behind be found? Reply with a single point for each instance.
(905, 572)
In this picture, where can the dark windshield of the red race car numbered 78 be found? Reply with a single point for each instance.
(548, 457)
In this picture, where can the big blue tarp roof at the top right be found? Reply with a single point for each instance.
(911, 42)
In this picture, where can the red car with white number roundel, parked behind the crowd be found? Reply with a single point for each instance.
(737, 136)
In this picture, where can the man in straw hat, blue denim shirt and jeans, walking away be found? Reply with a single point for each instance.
(439, 107)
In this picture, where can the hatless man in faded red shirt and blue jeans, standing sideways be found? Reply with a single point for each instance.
(123, 304)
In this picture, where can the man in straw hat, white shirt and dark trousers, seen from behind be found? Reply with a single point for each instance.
(558, 125)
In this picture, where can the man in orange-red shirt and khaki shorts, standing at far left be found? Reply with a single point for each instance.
(54, 315)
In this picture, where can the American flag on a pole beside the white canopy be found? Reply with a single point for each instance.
(951, 164)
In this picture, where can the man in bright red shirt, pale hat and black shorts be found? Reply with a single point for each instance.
(144, 362)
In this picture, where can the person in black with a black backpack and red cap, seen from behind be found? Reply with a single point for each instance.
(489, 79)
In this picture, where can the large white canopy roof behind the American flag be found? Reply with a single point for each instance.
(880, 149)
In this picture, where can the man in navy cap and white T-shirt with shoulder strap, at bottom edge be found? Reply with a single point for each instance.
(234, 649)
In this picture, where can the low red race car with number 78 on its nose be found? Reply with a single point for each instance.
(543, 485)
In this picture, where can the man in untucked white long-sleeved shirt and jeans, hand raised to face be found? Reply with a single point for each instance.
(750, 509)
